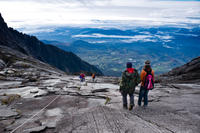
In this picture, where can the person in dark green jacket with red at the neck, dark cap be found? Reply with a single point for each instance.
(130, 79)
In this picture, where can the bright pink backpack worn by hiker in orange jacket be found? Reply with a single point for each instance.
(149, 81)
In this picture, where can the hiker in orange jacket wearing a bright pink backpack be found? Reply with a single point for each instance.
(147, 83)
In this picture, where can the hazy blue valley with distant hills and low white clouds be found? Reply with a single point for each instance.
(110, 49)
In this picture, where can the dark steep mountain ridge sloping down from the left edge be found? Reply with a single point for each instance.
(30, 45)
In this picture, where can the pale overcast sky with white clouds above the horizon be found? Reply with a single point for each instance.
(24, 13)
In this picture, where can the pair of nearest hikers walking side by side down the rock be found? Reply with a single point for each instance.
(131, 78)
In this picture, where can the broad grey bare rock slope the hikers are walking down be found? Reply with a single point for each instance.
(39, 98)
